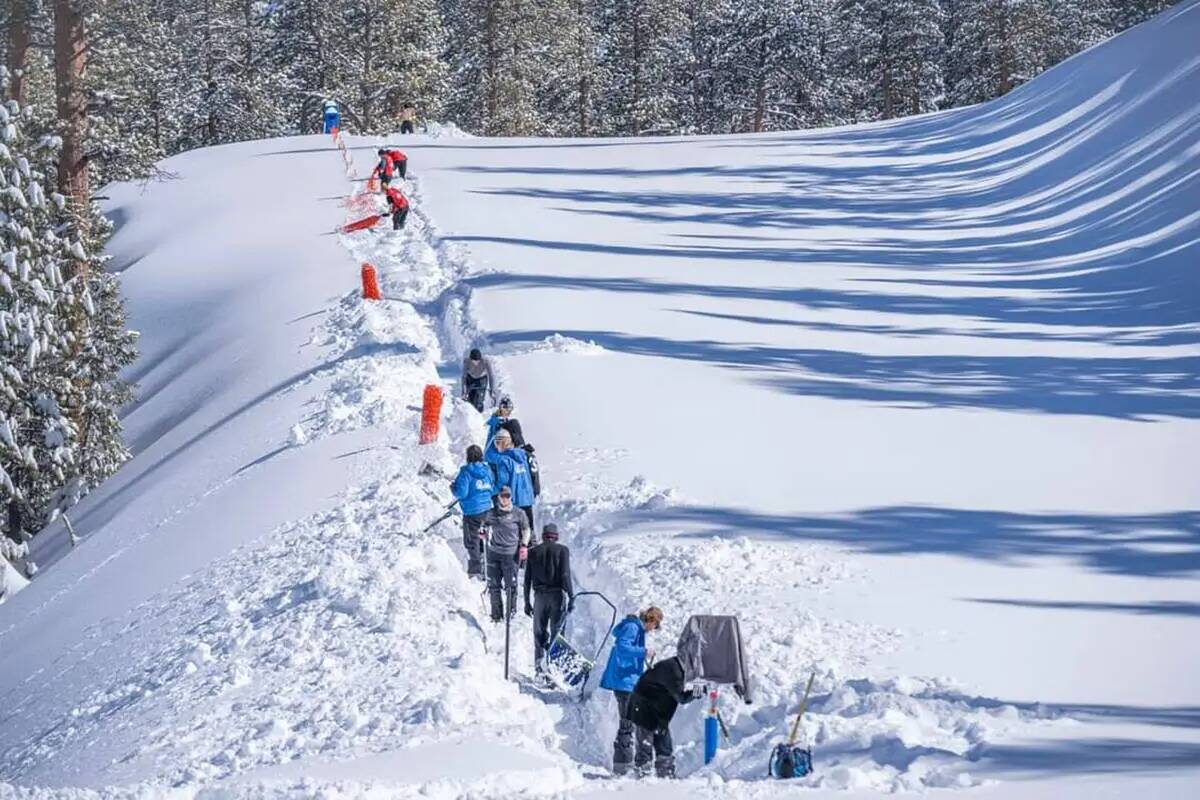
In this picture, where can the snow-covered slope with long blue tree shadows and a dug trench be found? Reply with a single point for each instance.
(920, 401)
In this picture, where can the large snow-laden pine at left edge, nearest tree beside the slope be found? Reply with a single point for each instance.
(63, 336)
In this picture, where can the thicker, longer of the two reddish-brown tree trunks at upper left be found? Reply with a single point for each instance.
(70, 69)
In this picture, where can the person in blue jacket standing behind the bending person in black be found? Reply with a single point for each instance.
(627, 661)
